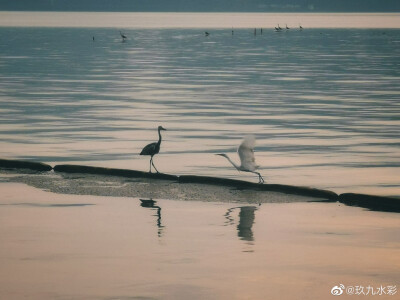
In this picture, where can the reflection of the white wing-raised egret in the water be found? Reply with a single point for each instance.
(246, 221)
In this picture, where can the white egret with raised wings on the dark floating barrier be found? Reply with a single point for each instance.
(246, 155)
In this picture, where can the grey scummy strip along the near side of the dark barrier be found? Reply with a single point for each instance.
(92, 184)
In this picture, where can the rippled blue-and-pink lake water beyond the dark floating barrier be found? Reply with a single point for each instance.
(323, 103)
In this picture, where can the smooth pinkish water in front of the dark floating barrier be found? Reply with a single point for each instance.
(57, 246)
